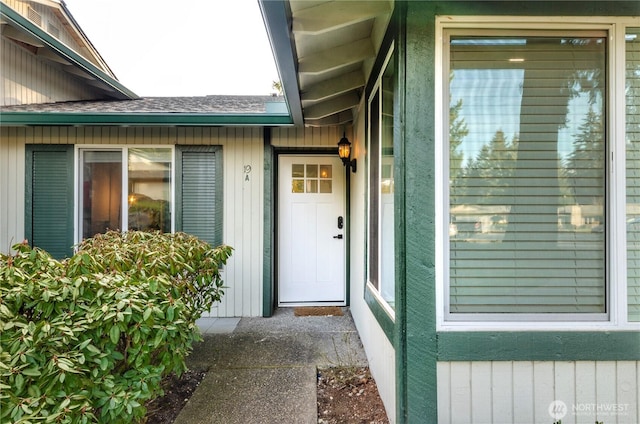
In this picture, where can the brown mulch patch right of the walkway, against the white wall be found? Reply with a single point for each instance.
(349, 395)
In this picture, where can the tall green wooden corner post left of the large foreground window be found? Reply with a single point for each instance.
(417, 117)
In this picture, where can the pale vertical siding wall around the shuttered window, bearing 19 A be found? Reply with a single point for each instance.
(243, 188)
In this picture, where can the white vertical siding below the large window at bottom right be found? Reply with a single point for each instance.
(522, 391)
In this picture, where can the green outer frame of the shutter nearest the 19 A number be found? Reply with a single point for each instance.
(219, 195)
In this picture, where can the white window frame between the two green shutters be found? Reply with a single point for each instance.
(124, 150)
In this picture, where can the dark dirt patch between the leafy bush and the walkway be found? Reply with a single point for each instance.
(177, 391)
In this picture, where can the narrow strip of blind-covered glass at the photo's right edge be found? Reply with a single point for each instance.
(633, 171)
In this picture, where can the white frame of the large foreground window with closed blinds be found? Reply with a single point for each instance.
(615, 243)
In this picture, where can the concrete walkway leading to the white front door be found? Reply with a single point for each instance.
(264, 370)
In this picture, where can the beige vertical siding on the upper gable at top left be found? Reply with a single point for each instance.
(27, 79)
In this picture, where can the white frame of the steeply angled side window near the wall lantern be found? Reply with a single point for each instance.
(374, 290)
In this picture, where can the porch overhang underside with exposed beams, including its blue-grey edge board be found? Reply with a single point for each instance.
(325, 51)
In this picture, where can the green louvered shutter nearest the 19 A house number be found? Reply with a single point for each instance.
(199, 192)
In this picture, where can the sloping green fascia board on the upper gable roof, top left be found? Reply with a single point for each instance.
(74, 58)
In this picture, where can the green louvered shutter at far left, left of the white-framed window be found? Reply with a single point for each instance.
(49, 198)
